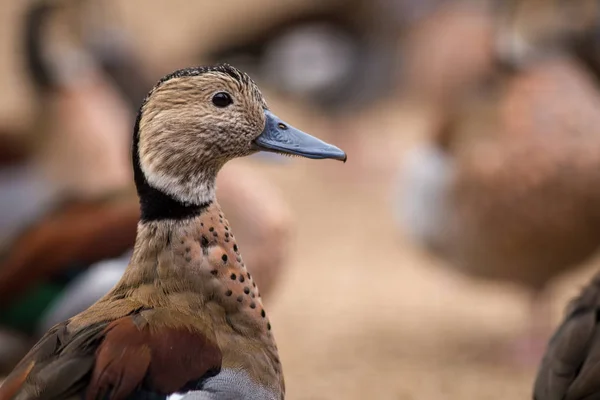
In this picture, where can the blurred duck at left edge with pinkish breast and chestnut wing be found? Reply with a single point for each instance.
(53, 206)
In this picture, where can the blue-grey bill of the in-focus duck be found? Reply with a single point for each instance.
(279, 137)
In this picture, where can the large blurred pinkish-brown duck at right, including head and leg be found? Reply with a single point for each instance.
(507, 185)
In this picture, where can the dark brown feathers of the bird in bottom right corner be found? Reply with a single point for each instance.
(571, 367)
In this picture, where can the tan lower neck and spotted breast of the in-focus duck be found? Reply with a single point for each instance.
(193, 267)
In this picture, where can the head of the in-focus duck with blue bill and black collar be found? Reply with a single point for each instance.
(194, 121)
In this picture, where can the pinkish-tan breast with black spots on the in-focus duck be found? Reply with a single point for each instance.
(207, 260)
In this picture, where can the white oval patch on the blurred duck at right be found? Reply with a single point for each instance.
(422, 190)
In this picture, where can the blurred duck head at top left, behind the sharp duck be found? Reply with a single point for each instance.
(66, 43)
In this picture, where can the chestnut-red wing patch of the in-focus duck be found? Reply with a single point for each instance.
(163, 359)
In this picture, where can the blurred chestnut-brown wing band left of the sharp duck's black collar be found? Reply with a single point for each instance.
(78, 231)
